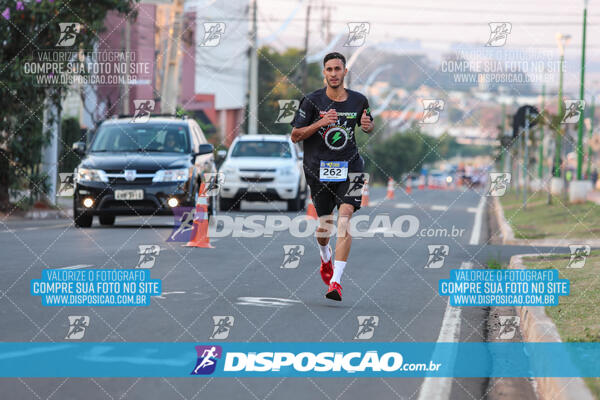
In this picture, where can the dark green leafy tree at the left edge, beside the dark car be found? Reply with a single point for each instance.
(27, 27)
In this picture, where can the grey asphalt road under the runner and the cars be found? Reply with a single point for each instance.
(242, 277)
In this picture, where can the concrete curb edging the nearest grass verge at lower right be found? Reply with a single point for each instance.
(536, 326)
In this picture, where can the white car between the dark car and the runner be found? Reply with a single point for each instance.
(263, 168)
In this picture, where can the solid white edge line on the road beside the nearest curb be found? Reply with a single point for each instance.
(440, 388)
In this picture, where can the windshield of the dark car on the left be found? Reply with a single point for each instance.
(142, 137)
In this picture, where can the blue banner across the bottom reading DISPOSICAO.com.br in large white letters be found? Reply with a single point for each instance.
(299, 359)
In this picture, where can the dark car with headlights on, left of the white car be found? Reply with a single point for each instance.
(141, 168)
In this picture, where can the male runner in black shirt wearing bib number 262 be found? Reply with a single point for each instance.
(325, 121)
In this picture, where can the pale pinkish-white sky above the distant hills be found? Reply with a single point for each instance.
(437, 26)
